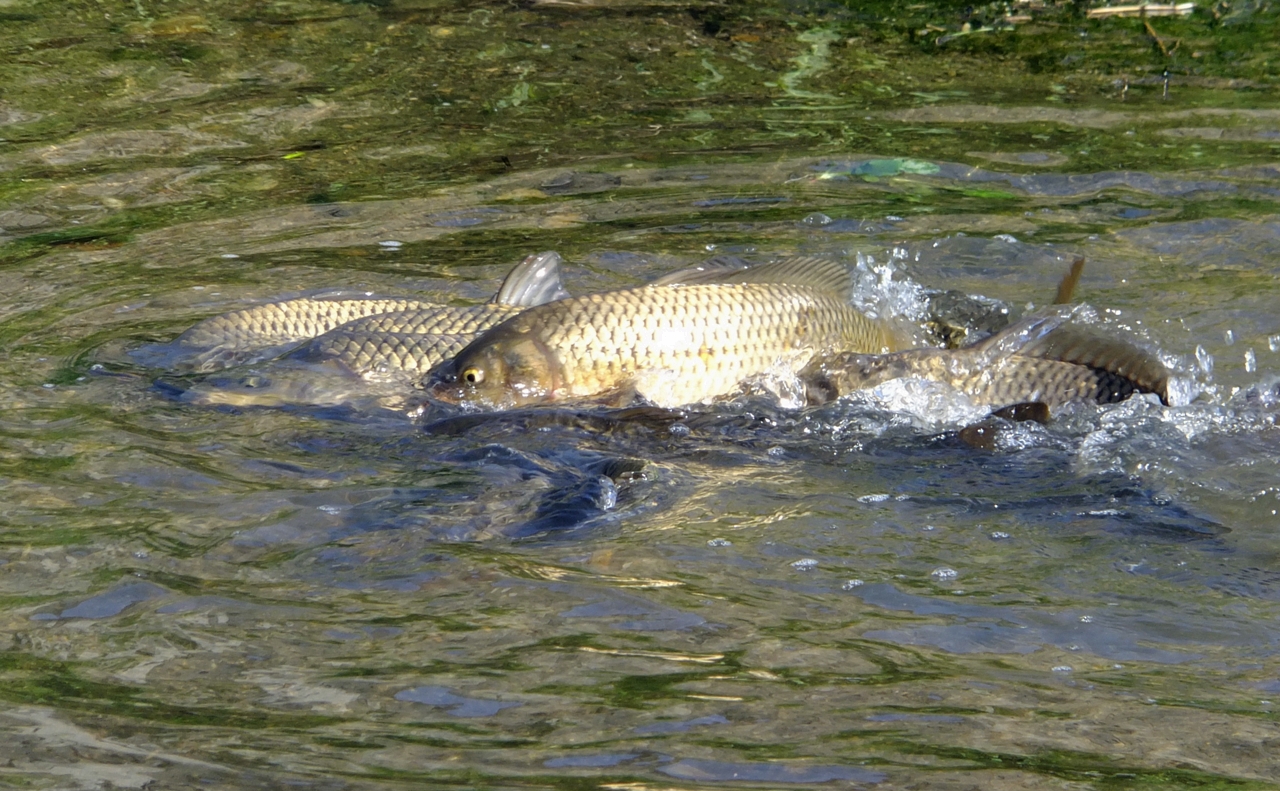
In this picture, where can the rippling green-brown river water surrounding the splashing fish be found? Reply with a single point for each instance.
(740, 596)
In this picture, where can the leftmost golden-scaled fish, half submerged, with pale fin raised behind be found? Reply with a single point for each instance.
(267, 331)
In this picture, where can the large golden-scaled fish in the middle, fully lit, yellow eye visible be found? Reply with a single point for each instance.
(687, 339)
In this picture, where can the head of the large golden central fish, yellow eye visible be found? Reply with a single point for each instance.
(499, 371)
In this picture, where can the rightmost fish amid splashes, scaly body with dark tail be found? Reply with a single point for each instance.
(1043, 359)
